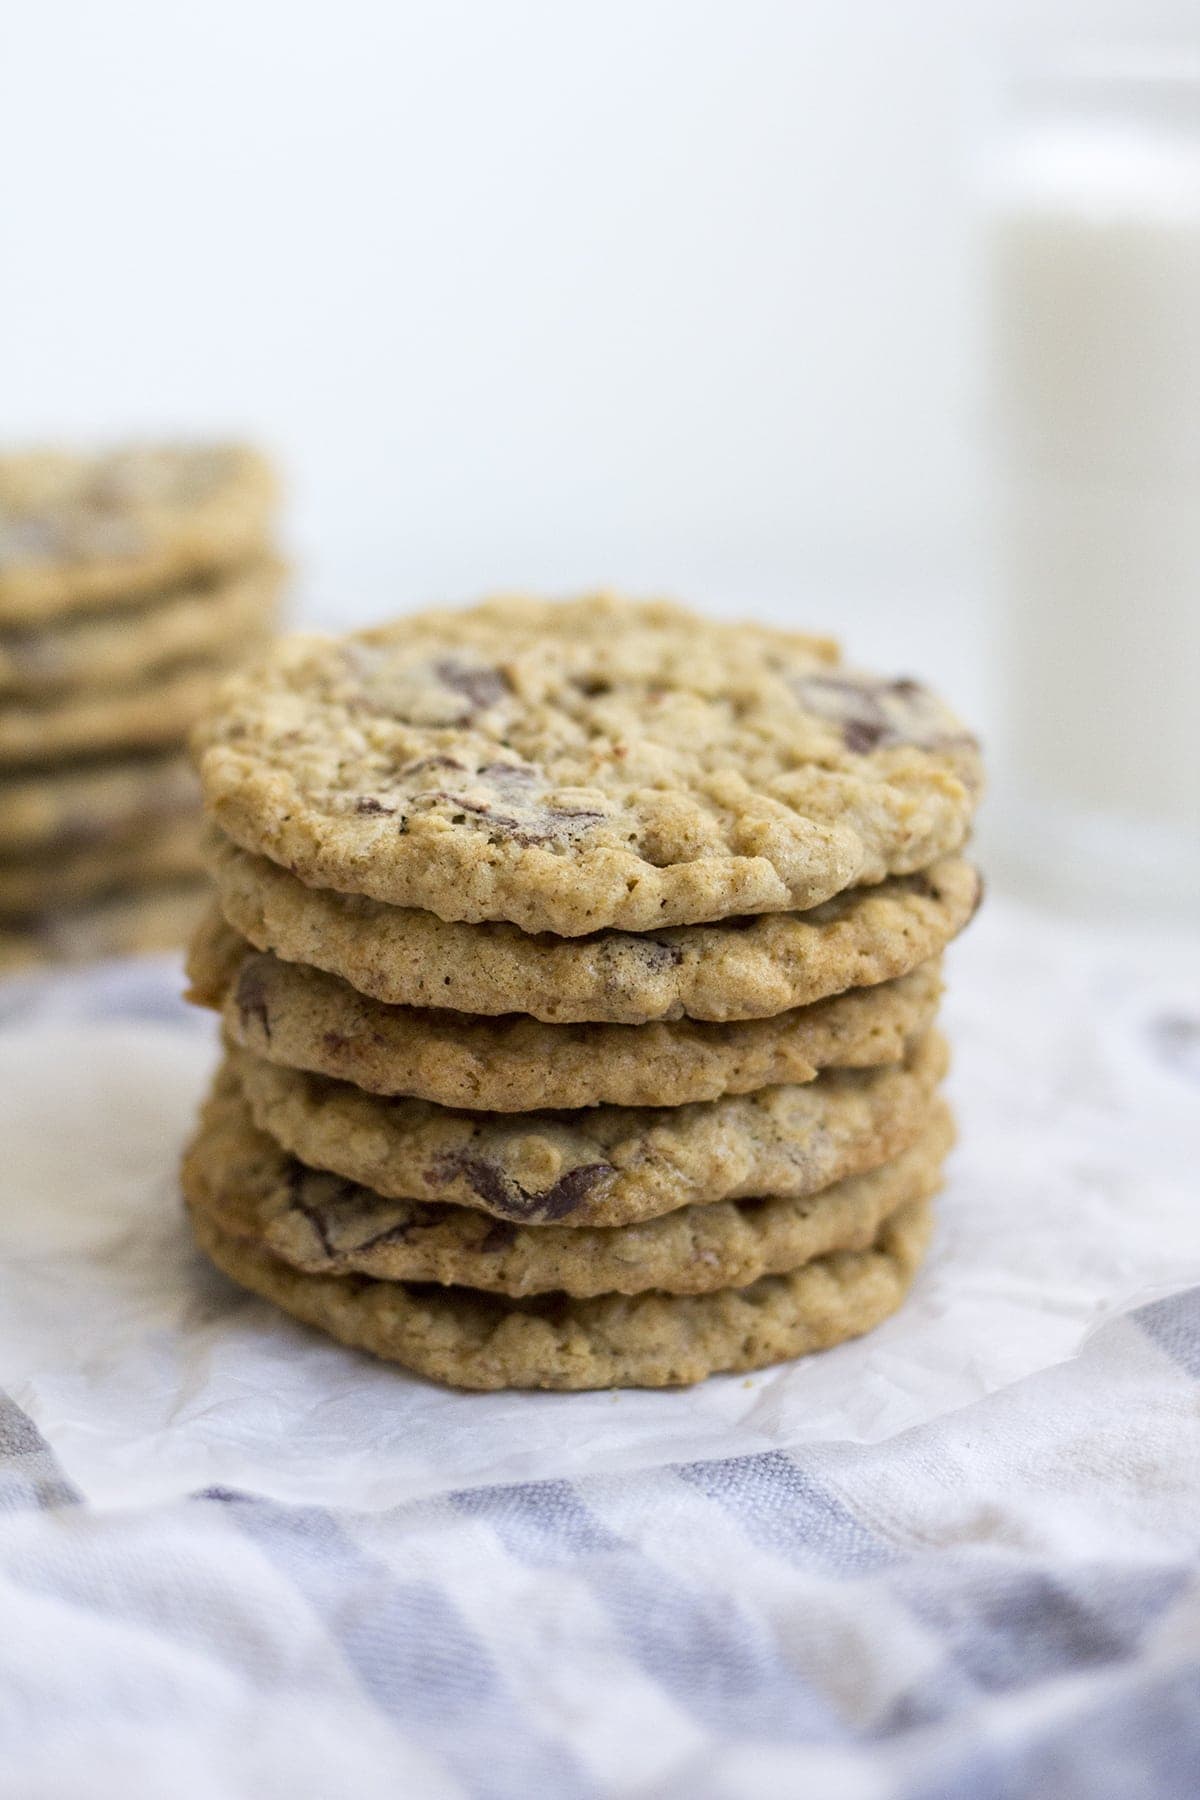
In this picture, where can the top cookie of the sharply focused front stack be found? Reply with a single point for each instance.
(584, 766)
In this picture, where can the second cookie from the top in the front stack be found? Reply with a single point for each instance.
(739, 969)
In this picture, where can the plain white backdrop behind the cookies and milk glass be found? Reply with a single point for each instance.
(668, 294)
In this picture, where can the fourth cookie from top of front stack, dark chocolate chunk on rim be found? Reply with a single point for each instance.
(604, 1165)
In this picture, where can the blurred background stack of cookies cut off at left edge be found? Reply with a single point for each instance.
(130, 582)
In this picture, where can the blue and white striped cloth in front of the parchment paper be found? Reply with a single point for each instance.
(999, 1605)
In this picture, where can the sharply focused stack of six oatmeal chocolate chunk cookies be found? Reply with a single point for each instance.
(578, 971)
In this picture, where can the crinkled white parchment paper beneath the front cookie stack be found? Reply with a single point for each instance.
(1075, 1194)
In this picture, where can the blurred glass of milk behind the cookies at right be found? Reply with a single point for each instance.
(1093, 253)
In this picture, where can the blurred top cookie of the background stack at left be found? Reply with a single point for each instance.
(100, 530)
